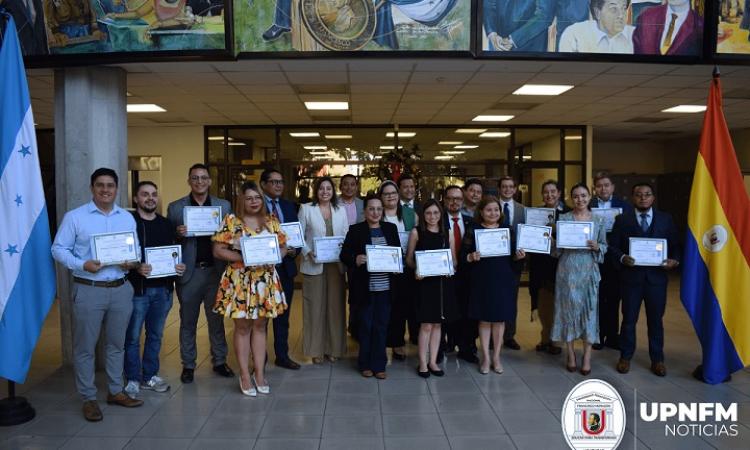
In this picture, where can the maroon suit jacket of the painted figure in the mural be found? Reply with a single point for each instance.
(650, 26)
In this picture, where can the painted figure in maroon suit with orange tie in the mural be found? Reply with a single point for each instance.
(669, 29)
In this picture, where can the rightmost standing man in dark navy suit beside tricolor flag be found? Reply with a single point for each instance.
(643, 283)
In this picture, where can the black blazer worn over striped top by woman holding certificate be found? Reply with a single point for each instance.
(354, 244)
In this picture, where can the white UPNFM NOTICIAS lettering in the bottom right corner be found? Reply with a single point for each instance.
(693, 419)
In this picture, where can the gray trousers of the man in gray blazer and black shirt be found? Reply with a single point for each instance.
(201, 289)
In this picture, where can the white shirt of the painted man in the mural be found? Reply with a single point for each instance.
(586, 37)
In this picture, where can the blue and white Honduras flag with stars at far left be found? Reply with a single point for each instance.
(27, 275)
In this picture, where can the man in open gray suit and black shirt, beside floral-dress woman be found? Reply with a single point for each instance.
(199, 283)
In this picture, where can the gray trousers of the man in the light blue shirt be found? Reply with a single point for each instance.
(93, 306)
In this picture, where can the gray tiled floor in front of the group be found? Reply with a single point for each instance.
(332, 407)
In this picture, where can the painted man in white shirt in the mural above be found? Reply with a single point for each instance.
(606, 33)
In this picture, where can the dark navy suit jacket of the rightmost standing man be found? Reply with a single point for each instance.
(626, 226)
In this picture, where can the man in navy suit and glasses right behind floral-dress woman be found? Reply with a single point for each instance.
(272, 183)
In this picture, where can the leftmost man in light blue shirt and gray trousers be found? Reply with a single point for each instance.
(100, 292)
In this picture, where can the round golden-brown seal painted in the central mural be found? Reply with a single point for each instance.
(343, 25)
